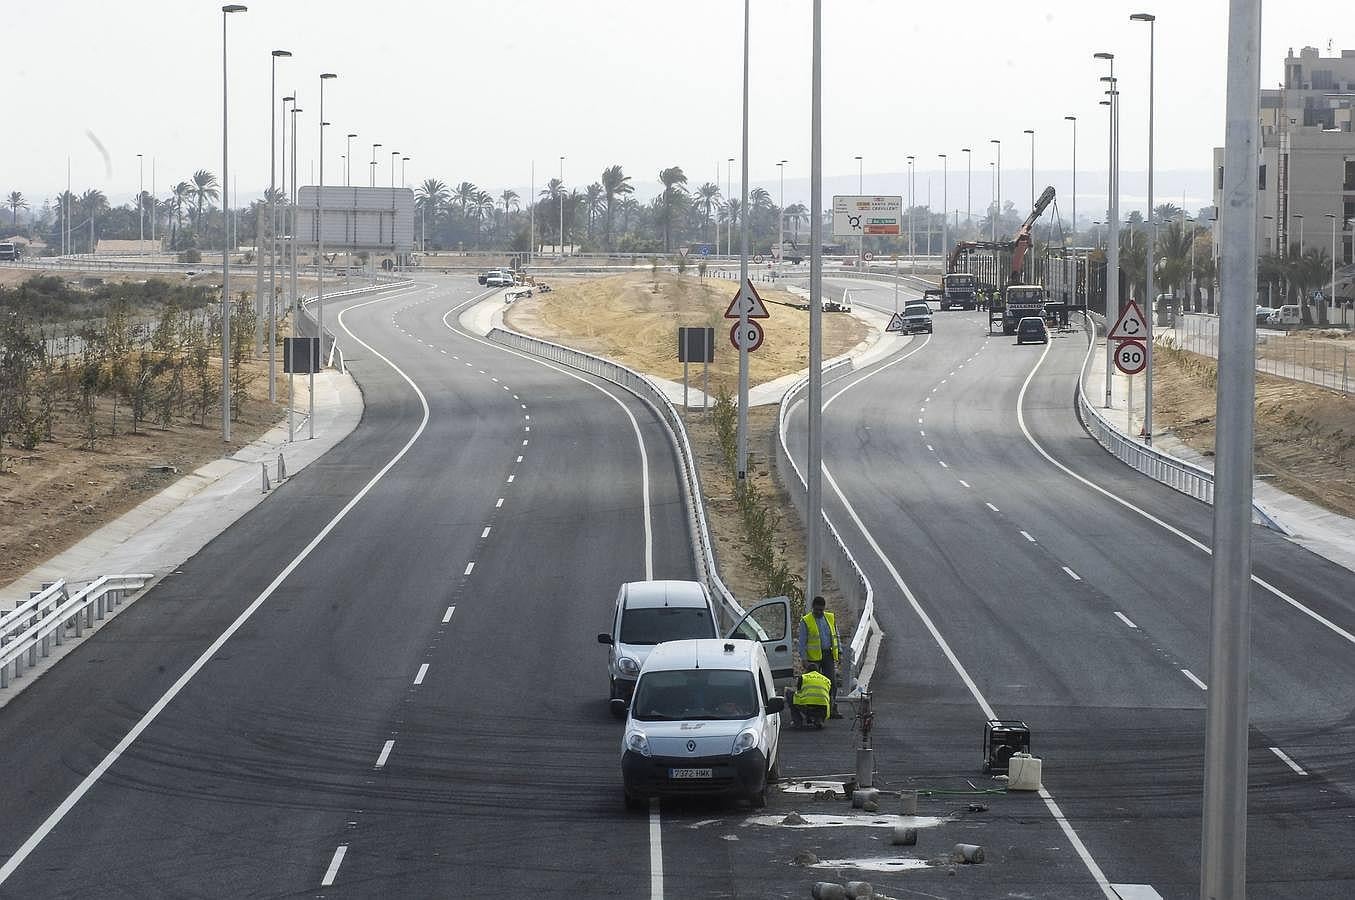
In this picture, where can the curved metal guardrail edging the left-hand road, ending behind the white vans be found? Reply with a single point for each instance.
(659, 402)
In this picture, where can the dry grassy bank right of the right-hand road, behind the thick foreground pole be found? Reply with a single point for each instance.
(1306, 436)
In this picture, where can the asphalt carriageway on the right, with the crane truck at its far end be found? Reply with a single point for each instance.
(1077, 613)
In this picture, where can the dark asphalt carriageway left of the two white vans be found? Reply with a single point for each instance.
(276, 754)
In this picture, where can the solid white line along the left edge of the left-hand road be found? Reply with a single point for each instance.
(154, 714)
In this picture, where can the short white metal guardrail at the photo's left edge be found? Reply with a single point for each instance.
(35, 627)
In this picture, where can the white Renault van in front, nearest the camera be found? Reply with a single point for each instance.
(705, 719)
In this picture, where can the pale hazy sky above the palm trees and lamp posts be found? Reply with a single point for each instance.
(478, 90)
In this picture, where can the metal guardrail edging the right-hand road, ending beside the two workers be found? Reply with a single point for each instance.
(839, 560)
